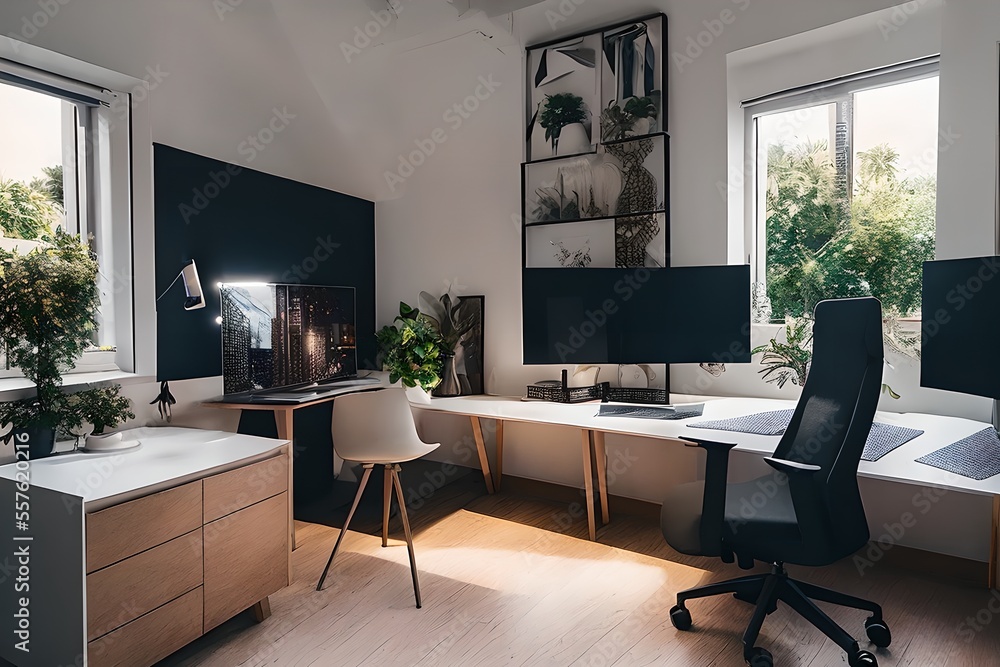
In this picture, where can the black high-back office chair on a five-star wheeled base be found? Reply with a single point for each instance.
(809, 512)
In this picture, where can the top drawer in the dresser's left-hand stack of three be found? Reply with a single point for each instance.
(124, 530)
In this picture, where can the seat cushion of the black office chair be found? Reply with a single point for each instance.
(759, 517)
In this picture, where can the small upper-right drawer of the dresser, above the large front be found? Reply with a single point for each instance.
(232, 491)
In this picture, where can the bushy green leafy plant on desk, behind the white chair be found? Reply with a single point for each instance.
(411, 349)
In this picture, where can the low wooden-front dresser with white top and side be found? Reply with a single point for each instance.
(164, 563)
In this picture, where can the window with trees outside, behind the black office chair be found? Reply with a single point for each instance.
(844, 191)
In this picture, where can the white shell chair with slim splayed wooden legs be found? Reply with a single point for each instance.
(376, 428)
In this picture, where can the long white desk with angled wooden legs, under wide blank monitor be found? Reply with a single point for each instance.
(897, 466)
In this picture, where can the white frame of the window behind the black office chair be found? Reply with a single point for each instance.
(841, 92)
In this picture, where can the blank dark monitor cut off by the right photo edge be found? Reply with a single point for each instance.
(959, 325)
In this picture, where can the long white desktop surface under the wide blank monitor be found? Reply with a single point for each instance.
(897, 466)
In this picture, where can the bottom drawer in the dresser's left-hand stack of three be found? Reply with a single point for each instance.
(150, 638)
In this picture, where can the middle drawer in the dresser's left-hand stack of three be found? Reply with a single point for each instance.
(135, 586)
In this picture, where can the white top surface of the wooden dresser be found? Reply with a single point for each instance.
(165, 457)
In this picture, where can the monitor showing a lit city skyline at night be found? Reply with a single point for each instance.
(284, 335)
